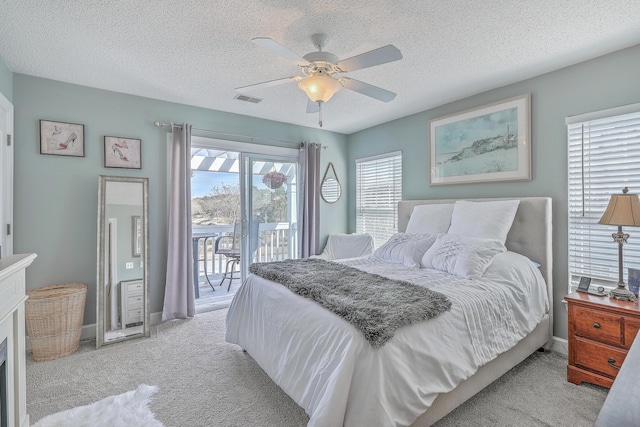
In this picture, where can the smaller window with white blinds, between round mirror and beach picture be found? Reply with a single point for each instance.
(378, 191)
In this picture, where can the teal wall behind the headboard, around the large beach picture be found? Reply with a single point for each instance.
(601, 83)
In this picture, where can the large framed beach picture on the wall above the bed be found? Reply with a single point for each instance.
(486, 144)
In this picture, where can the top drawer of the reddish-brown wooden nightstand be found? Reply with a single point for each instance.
(598, 325)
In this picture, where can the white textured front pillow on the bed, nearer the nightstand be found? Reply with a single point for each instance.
(462, 256)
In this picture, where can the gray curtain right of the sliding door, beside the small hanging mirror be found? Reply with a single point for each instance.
(309, 163)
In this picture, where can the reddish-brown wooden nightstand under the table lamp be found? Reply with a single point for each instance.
(601, 330)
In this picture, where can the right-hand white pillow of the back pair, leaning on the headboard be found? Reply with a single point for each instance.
(487, 220)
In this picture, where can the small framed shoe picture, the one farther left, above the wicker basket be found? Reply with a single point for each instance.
(61, 138)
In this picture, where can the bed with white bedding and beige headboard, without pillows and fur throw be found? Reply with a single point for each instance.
(326, 366)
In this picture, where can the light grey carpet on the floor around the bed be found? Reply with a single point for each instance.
(204, 381)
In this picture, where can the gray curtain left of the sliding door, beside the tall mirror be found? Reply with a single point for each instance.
(179, 297)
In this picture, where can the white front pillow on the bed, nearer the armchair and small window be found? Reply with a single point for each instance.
(405, 248)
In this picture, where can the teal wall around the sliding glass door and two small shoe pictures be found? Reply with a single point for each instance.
(56, 197)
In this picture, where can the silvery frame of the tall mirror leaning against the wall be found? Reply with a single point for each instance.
(101, 271)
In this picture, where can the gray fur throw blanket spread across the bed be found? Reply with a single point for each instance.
(375, 305)
